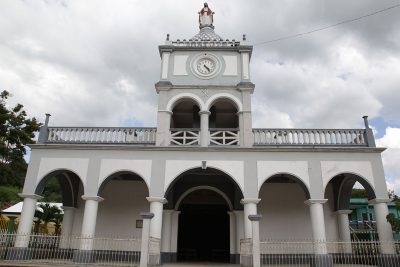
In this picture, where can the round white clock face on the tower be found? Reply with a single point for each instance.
(205, 66)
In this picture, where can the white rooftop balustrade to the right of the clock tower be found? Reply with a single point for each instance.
(310, 137)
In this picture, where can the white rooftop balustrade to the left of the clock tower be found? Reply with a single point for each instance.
(101, 135)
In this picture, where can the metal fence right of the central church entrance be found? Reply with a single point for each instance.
(343, 254)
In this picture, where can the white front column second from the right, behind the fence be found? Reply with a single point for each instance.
(318, 224)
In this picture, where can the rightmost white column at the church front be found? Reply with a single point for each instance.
(384, 228)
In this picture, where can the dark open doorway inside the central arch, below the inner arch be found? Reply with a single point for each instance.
(203, 233)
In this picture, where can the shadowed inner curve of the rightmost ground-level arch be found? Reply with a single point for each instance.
(342, 185)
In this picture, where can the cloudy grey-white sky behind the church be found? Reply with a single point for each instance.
(95, 62)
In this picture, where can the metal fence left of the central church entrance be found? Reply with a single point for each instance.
(54, 250)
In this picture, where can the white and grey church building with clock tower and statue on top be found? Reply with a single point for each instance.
(204, 185)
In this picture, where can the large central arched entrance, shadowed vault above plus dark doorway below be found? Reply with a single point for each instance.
(204, 198)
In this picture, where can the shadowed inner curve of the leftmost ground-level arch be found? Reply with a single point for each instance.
(69, 182)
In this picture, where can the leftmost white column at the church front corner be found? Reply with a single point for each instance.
(26, 220)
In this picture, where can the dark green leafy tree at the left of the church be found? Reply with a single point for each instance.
(16, 131)
